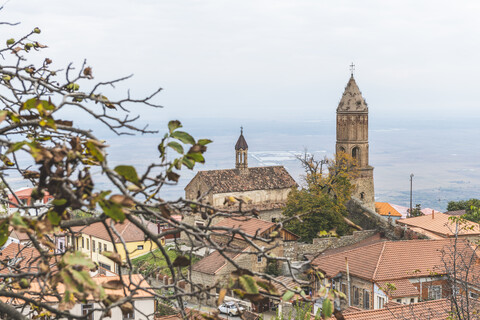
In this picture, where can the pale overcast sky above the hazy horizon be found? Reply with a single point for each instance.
(271, 58)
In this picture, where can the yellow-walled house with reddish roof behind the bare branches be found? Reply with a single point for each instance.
(94, 238)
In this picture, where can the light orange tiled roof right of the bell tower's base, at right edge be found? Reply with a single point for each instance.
(439, 224)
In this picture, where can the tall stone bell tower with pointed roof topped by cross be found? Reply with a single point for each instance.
(352, 138)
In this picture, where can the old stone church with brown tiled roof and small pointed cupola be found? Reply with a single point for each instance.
(263, 188)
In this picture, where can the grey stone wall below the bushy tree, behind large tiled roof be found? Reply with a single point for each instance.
(296, 250)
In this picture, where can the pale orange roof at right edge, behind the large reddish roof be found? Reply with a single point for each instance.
(439, 225)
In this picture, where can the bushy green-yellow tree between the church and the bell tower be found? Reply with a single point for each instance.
(321, 202)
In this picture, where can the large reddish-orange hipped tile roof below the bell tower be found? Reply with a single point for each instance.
(387, 260)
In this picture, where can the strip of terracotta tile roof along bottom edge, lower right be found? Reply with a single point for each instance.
(432, 310)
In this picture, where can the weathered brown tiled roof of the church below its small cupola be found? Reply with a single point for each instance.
(257, 178)
